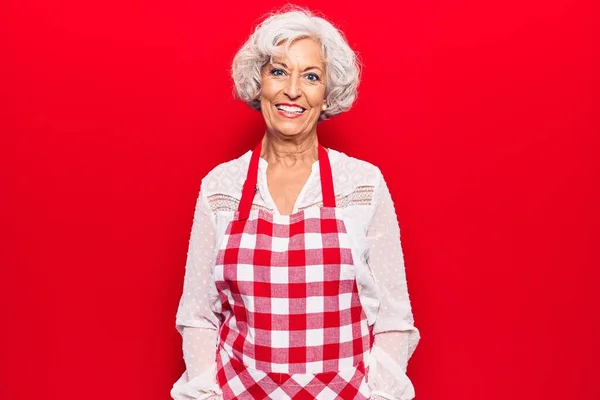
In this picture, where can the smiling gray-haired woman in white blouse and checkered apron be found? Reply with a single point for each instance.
(295, 283)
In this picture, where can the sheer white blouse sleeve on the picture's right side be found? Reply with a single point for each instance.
(396, 337)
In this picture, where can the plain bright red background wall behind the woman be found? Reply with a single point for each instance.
(483, 118)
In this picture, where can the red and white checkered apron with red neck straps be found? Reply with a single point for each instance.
(292, 323)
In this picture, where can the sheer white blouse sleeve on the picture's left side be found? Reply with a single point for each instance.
(195, 320)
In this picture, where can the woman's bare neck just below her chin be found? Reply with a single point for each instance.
(290, 151)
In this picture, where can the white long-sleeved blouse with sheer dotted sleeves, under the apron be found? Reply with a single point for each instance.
(371, 222)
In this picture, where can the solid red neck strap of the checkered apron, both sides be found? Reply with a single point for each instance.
(249, 189)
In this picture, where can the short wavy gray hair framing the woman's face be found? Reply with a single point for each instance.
(290, 24)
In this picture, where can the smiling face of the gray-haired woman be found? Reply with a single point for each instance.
(293, 89)
